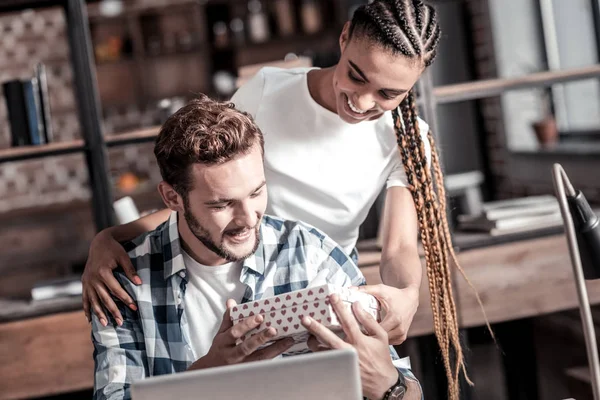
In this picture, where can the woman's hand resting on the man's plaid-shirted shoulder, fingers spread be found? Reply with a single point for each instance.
(98, 280)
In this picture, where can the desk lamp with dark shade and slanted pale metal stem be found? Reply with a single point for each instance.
(582, 228)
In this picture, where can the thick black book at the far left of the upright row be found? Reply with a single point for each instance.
(17, 112)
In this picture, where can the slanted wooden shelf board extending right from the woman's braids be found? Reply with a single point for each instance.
(495, 87)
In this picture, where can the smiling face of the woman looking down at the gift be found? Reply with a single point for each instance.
(369, 80)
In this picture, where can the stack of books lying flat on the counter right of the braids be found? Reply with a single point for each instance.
(514, 216)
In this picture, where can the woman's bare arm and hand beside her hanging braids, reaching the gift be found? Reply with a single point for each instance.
(400, 267)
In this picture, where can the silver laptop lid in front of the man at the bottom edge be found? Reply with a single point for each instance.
(332, 374)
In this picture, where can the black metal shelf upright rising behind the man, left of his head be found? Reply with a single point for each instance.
(88, 106)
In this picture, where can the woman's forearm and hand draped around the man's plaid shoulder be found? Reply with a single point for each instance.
(104, 256)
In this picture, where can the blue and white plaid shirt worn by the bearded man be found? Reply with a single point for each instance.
(155, 339)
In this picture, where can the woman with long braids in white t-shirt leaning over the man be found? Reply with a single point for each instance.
(334, 138)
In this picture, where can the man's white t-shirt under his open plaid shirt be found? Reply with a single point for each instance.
(207, 291)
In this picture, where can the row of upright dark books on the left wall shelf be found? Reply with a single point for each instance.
(29, 109)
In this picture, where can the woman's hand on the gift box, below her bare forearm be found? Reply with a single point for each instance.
(399, 305)
